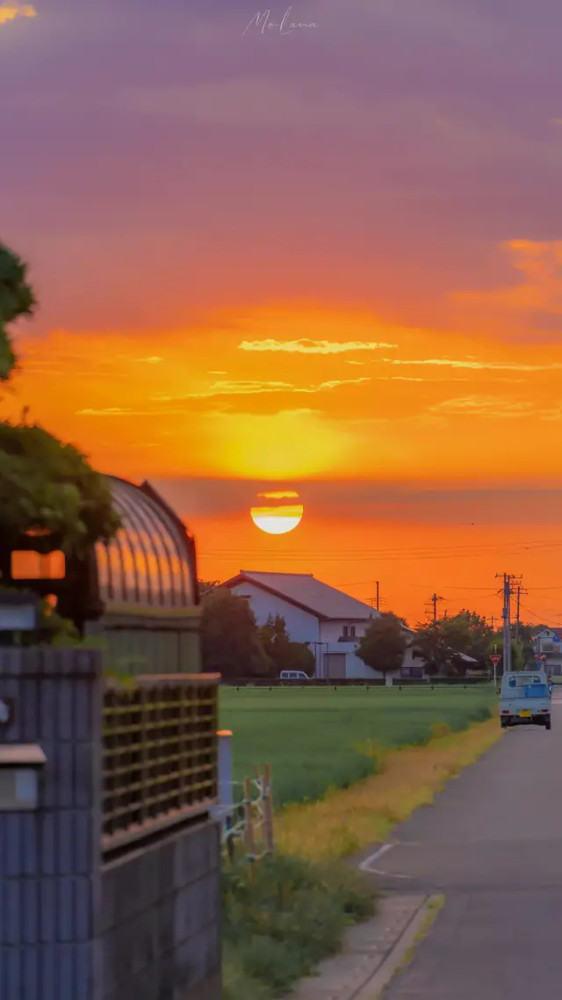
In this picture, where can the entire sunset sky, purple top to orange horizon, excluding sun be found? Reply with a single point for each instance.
(323, 259)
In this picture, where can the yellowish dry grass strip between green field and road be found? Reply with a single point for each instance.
(344, 822)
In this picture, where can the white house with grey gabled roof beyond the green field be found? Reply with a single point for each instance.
(327, 620)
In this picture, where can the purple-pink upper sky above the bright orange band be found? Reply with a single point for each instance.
(403, 140)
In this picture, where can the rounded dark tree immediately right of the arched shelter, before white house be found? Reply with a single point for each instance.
(231, 643)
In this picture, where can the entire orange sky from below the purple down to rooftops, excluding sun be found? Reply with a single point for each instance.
(298, 393)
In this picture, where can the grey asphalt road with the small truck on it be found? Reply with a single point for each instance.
(492, 844)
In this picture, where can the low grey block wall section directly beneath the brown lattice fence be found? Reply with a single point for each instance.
(160, 919)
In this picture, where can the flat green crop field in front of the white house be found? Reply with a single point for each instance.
(319, 738)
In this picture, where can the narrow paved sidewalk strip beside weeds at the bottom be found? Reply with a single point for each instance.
(368, 946)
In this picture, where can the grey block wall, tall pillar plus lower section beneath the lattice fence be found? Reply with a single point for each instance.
(144, 927)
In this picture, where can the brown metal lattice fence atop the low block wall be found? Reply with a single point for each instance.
(159, 754)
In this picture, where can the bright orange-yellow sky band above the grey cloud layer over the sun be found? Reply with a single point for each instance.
(299, 390)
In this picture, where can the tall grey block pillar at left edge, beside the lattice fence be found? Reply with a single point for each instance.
(50, 858)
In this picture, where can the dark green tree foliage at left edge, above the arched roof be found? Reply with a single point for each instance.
(45, 485)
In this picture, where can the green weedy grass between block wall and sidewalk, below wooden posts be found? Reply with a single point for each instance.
(277, 928)
